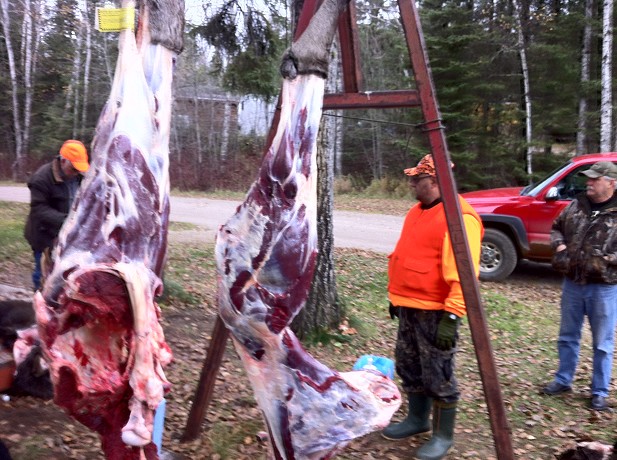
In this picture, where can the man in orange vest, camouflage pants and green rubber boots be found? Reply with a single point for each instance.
(425, 293)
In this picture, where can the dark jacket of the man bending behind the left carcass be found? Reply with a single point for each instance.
(50, 202)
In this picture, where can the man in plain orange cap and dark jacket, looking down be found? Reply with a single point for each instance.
(52, 190)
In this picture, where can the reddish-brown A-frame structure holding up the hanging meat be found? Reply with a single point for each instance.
(354, 97)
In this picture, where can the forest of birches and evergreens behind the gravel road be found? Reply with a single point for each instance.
(520, 84)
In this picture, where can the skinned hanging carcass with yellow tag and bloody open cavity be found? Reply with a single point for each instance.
(97, 315)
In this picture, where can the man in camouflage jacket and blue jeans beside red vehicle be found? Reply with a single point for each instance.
(584, 238)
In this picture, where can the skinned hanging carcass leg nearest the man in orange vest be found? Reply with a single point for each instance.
(265, 257)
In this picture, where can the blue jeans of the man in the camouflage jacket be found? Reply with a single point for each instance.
(599, 303)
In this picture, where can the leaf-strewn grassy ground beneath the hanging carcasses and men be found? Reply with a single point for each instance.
(522, 316)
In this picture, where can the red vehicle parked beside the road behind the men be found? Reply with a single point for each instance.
(518, 220)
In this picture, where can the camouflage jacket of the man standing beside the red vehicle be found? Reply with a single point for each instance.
(591, 241)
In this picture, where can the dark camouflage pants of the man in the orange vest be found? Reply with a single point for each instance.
(424, 368)
